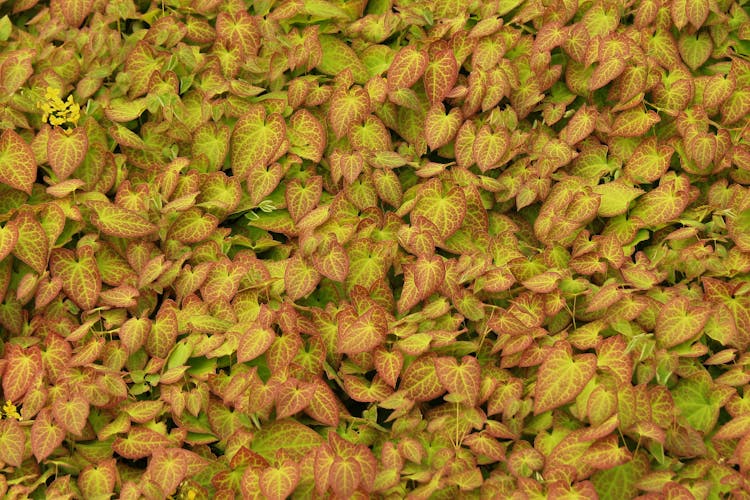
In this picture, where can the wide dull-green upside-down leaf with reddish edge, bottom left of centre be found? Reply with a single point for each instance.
(294, 439)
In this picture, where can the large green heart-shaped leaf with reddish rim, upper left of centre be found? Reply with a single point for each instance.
(257, 140)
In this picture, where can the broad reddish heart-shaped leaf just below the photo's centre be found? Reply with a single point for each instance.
(360, 333)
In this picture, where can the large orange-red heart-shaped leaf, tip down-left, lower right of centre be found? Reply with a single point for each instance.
(561, 378)
